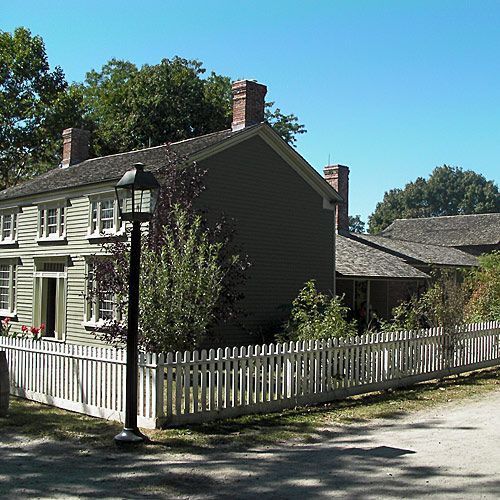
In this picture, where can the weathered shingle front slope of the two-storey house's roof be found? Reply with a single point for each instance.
(109, 168)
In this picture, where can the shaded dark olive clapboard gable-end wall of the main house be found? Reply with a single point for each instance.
(280, 223)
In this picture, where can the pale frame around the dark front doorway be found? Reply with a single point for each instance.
(61, 294)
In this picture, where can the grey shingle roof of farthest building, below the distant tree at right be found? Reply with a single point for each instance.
(455, 230)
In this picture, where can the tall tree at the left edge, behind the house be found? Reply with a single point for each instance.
(36, 104)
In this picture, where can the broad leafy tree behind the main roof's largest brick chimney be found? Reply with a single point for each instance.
(134, 108)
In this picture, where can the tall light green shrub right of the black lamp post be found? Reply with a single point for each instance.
(180, 287)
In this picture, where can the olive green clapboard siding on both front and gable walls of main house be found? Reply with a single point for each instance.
(280, 223)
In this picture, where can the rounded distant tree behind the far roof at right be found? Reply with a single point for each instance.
(447, 191)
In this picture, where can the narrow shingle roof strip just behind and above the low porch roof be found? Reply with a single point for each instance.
(420, 252)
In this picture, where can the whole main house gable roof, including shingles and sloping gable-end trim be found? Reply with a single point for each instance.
(110, 168)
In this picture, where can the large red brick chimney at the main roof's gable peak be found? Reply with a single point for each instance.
(248, 103)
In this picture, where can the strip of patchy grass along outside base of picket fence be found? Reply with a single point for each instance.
(35, 420)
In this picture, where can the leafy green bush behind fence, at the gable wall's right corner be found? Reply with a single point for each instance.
(316, 316)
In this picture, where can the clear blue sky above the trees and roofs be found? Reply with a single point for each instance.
(390, 88)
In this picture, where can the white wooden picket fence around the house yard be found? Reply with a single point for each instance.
(200, 386)
